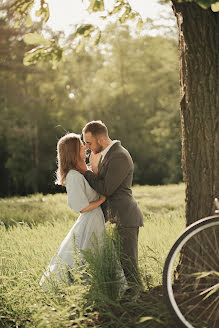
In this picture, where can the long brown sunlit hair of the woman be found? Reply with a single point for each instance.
(68, 153)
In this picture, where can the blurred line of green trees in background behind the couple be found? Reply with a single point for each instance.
(129, 81)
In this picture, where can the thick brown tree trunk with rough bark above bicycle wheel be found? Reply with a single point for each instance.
(199, 69)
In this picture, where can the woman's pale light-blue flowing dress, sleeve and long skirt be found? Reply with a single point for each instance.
(84, 234)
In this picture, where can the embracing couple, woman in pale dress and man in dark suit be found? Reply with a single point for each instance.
(102, 193)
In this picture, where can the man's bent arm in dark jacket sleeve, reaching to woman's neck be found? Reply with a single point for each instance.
(117, 170)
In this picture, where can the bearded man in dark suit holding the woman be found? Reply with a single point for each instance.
(114, 180)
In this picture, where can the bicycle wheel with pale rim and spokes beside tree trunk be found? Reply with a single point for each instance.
(191, 275)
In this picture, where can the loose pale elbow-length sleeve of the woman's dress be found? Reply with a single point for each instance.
(76, 192)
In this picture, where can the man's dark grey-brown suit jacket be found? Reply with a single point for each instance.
(114, 180)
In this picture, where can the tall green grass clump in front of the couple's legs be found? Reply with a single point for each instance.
(107, 278)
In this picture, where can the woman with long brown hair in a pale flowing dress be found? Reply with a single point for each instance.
(88, 228)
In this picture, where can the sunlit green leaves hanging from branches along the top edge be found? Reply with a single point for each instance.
(122, 10)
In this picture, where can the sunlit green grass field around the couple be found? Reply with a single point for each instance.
(34, 227)
